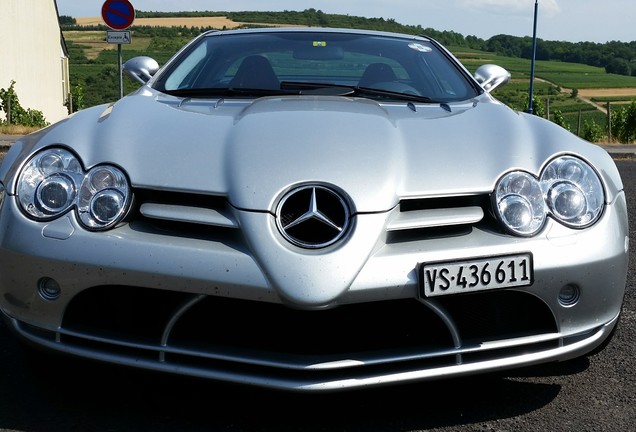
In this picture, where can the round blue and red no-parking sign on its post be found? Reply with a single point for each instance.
(118, 15)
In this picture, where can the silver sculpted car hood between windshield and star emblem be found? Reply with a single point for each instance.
(253, 151)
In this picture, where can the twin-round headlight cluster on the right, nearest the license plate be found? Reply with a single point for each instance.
(568, 189)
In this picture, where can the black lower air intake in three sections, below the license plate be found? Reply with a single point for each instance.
(141, 315)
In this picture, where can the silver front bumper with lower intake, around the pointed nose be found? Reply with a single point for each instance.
(204, 307)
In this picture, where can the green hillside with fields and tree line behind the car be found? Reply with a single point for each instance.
(578, 93)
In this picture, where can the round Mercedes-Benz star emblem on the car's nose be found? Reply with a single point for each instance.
(312, 216)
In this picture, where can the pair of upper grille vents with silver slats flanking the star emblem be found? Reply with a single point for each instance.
(412, 220)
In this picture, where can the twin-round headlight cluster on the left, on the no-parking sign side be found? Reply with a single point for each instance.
(54, 181)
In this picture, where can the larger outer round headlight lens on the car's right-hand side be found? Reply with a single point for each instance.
(574, 192)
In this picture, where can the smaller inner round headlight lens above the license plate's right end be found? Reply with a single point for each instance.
(520, 204)
